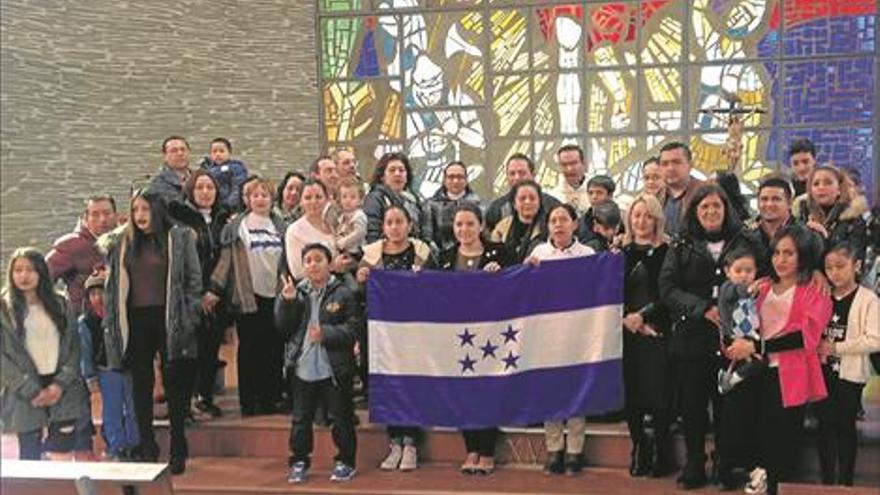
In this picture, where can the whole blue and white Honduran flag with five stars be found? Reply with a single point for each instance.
(475, 350)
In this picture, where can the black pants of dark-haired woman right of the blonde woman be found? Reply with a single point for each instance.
(697, 387)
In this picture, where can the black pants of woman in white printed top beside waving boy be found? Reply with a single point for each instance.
(260, 355)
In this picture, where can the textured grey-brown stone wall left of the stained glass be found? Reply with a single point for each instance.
(89, 90)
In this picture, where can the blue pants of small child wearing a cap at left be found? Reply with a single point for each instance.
(119, 427)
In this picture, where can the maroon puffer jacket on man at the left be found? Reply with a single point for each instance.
(73, 258)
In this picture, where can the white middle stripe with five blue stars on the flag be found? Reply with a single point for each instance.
(547, 340)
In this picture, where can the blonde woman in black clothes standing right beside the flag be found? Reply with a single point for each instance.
(646, 368)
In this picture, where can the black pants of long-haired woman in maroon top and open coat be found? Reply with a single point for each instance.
(147, 337)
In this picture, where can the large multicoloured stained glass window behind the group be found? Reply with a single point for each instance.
(478, 80)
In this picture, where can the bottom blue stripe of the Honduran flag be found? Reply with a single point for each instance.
(482, 402)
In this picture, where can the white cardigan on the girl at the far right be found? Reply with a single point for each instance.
(862, 337)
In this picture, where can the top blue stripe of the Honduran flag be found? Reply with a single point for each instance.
(442, 297)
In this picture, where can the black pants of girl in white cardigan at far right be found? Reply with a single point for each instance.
(838, 441)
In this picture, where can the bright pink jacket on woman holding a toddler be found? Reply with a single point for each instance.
(800, 374)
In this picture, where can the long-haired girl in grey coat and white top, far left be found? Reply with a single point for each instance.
(41, 383)
